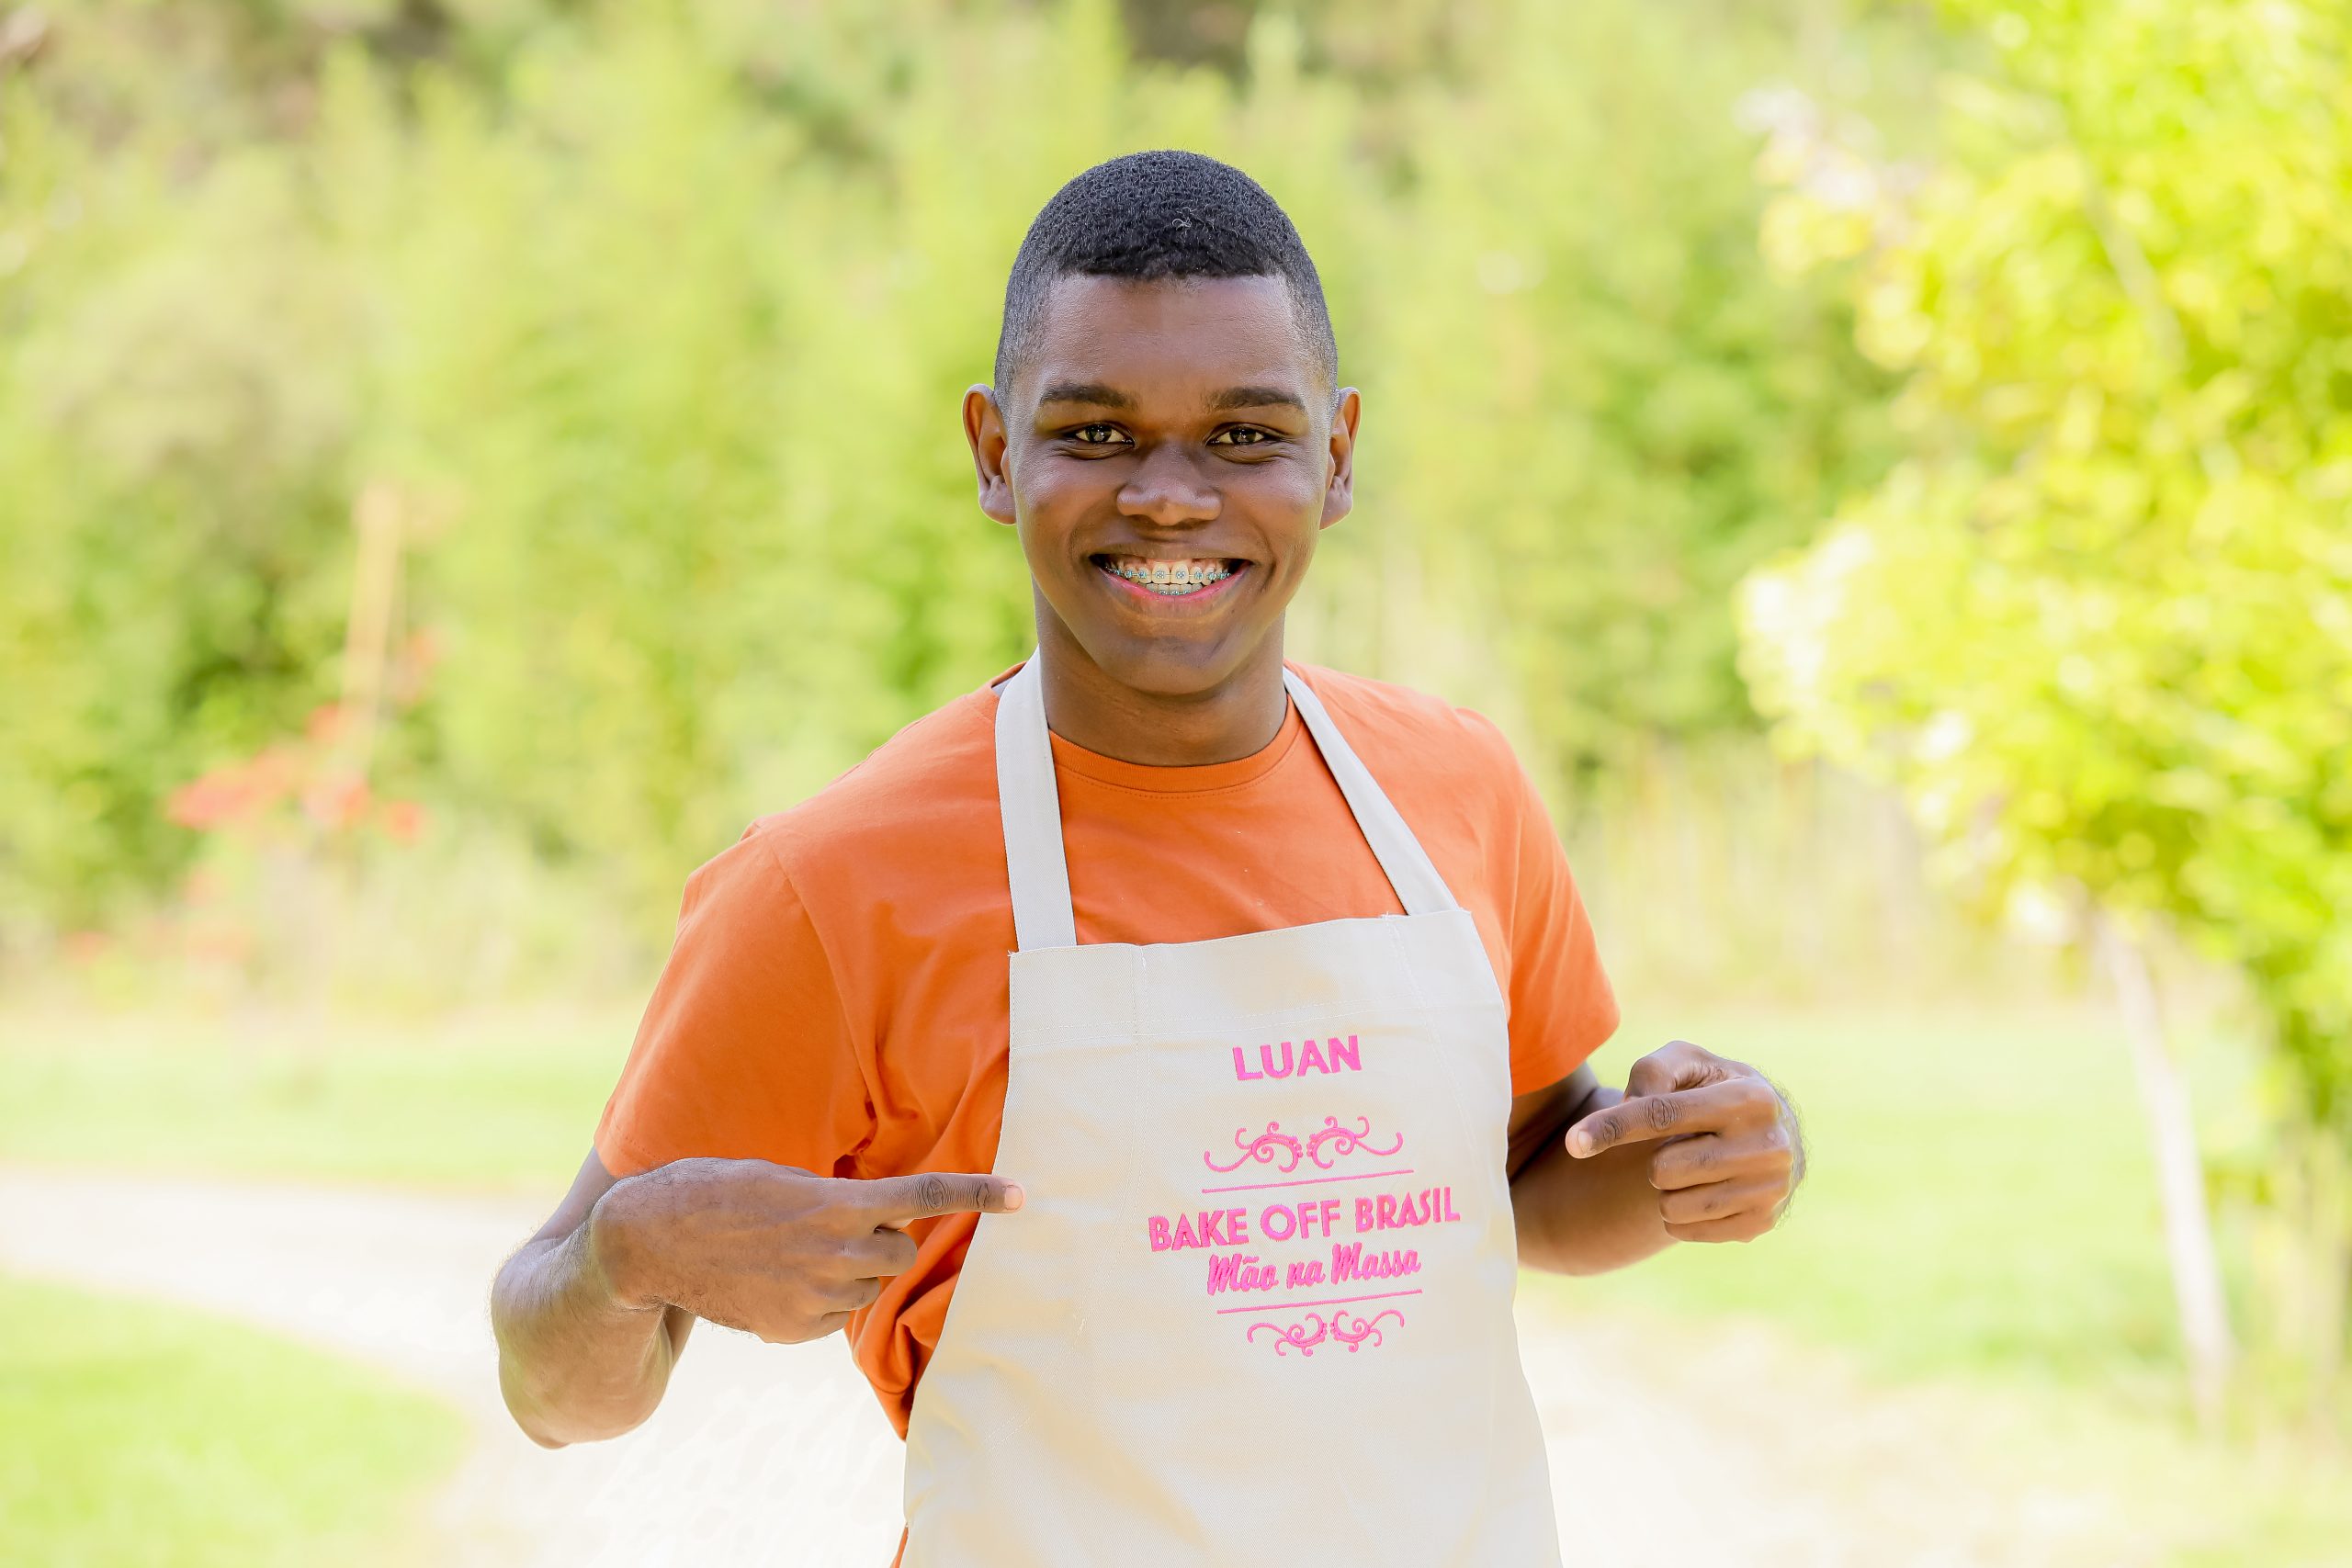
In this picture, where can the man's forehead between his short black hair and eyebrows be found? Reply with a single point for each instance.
(1182, 337)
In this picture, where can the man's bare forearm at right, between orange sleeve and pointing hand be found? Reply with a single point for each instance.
(1579, 1217)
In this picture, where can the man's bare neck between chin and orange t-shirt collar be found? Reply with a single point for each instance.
(1227, 723)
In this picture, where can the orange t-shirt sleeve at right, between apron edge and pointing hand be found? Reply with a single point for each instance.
(1561, 1003)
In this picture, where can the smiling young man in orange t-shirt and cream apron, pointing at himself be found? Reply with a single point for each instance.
(1208, 1028)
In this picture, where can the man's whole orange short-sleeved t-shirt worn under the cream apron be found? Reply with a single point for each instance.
(838, 991)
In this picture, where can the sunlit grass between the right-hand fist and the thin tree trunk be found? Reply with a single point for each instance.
(1979, 1195)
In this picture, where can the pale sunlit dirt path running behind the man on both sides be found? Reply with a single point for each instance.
(780, 1456)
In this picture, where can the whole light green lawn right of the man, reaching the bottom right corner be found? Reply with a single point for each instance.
(1982, 1212)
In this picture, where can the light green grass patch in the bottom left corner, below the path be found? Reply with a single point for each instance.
(138, 1435)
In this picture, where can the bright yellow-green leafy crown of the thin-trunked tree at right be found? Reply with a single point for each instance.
(2099, 622)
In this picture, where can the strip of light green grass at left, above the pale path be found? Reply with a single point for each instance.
(505, 1104)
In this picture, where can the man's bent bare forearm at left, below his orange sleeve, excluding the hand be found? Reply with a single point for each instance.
(575, 1362)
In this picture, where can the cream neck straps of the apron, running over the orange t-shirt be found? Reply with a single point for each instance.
(1031, 805)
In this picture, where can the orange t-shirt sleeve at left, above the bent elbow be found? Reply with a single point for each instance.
(744, 1050)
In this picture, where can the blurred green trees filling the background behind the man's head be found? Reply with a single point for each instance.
(655, 319)
